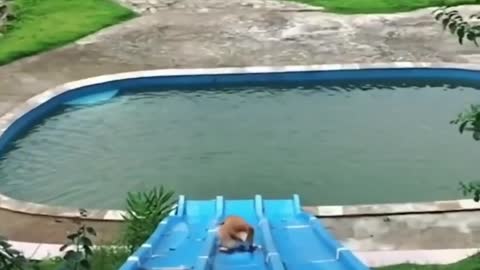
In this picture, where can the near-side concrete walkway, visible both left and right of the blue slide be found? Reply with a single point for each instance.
(381, 233)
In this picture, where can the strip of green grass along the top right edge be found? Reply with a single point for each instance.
(382, 6)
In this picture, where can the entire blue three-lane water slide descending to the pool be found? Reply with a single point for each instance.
(290, 239)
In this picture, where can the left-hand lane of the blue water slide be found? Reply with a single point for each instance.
(180, 241)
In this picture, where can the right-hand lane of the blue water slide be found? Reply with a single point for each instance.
(303, 243)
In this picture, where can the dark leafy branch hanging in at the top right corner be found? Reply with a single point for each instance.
(458, 25)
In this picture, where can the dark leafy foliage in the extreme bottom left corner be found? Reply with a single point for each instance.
(11, 259)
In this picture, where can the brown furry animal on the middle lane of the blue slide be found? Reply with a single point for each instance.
(235, 232)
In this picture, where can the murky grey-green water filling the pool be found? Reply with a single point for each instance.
(331, 145)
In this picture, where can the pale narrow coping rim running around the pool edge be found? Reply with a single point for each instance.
(14, 205)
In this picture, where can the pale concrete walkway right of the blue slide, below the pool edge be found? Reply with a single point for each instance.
(408, 232)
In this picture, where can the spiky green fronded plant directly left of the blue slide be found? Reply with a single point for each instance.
(145, 210)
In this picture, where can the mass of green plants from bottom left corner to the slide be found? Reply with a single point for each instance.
(145, 210)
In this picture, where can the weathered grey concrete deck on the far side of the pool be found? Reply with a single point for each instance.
(237, 36)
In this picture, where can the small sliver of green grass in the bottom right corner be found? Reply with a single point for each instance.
(471, 263)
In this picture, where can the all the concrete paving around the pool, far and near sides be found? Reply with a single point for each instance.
(205, 34)
